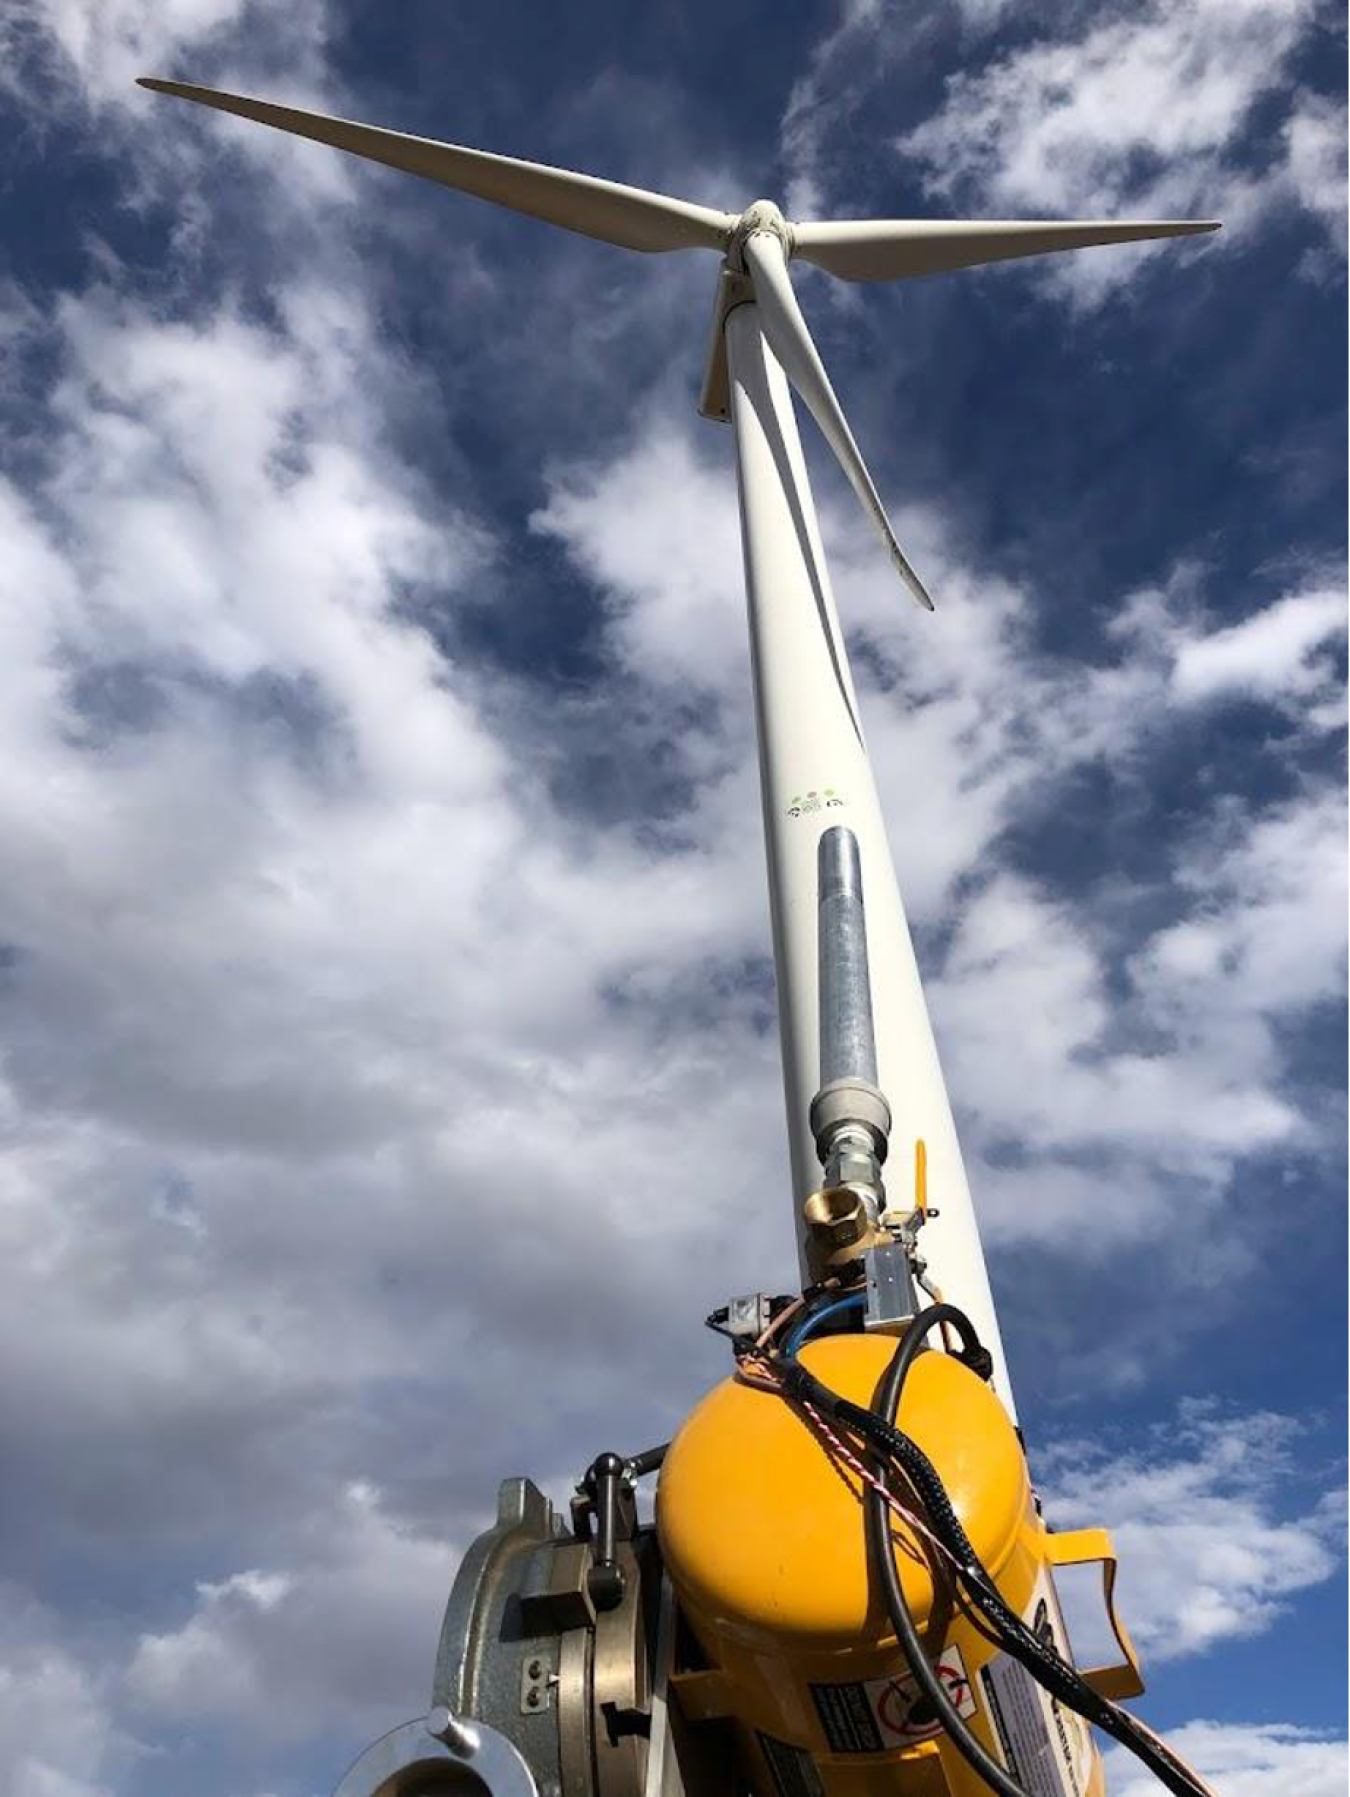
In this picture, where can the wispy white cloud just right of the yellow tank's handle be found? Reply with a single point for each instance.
(1202, 1523)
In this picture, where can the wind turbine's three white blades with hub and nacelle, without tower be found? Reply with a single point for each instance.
(756, 251)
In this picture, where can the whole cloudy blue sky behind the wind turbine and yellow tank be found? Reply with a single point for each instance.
(389, 1054)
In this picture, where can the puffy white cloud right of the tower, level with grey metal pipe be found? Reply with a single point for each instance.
(1182, 1070)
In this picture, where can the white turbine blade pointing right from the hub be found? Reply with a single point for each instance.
(894, 249)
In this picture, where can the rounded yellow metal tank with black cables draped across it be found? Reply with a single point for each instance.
(761, 1530)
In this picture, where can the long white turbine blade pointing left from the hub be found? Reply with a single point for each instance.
(617, 215)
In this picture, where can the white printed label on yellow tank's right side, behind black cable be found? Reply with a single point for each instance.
(1044, 1746)
